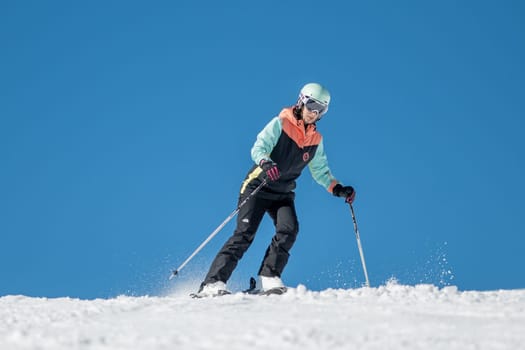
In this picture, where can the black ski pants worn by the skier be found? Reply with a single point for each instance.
(281, 209)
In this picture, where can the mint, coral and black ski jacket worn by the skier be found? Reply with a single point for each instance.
(286, 141)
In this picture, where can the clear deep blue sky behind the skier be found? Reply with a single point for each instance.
(126, 128)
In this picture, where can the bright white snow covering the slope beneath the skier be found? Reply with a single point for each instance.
(392, 316)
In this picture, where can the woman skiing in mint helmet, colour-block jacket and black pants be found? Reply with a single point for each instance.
(286, 145)
